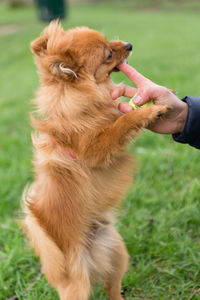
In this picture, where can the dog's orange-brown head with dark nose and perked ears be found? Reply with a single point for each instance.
(77, 54)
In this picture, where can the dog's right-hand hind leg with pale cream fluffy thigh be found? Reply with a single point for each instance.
(110, 260)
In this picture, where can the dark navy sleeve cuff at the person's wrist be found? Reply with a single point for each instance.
(191, 132)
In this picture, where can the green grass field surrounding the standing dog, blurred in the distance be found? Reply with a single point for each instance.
(160, 217)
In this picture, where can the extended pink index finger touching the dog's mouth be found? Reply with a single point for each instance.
(134, 75)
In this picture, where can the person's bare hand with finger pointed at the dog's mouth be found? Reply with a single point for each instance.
(173, 121)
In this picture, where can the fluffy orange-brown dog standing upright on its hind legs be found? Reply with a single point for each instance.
(81, 167)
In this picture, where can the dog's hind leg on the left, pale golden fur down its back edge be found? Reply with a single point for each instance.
(65, 273)
